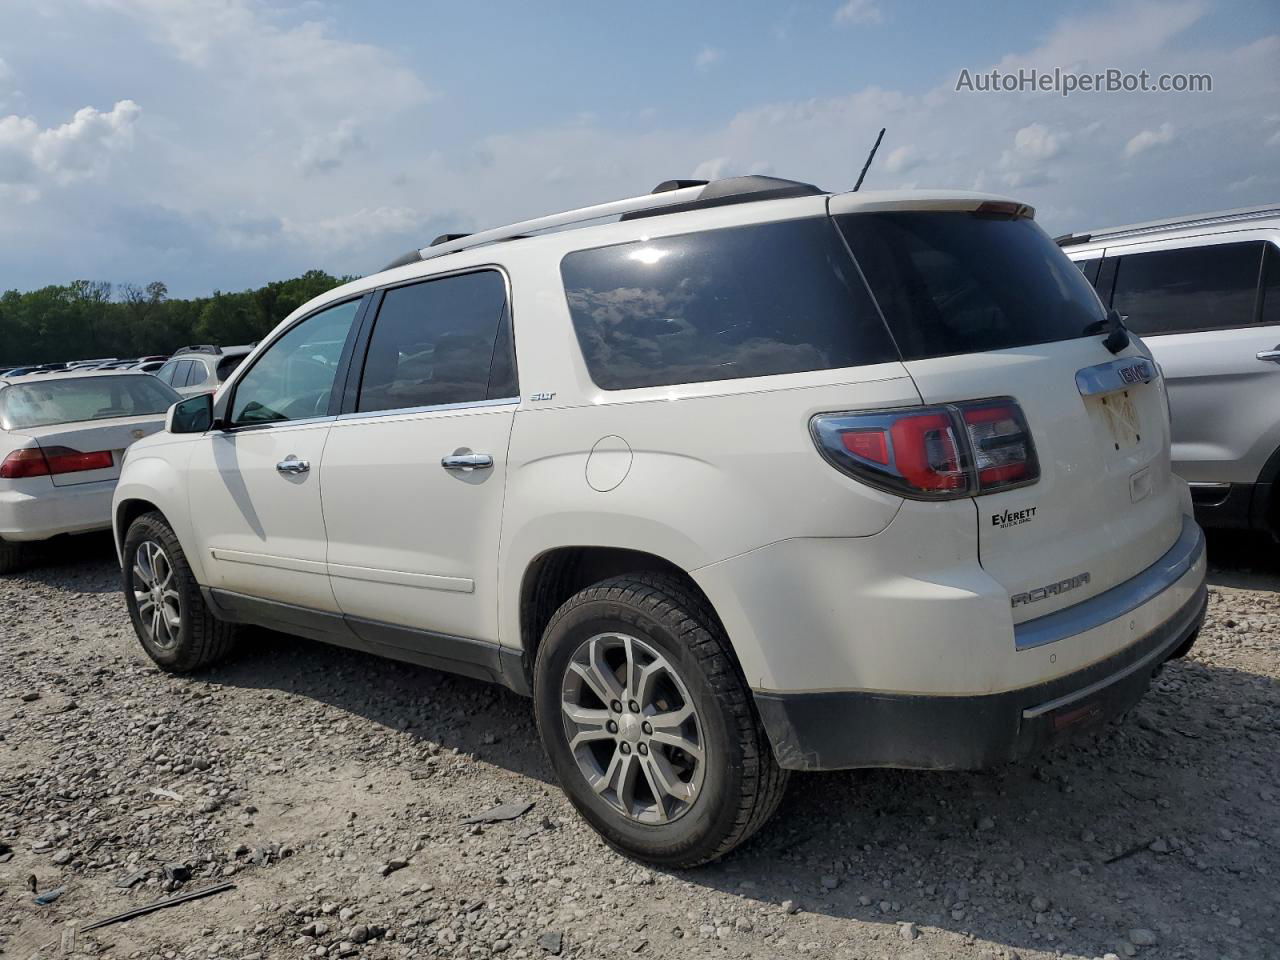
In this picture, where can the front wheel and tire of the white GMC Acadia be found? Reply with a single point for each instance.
(190, 637)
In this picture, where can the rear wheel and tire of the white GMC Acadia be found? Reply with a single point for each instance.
(662, 628)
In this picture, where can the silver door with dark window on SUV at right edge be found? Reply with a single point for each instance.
(1197, 305)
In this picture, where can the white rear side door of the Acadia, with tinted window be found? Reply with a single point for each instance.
(413, 478)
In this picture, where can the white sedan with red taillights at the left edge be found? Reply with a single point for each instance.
(62, 442)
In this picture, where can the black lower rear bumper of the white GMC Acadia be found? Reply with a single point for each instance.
(871, 729)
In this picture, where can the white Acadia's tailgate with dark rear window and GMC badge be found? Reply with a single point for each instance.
(986, 308)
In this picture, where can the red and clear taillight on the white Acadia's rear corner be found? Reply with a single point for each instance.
(932, 454)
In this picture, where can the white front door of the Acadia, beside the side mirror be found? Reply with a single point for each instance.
(255, 486)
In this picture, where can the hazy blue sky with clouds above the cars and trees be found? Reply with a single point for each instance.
(225, 144)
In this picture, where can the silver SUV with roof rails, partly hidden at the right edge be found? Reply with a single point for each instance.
(1204, 292)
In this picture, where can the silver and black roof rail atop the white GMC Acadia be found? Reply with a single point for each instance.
(670, 196)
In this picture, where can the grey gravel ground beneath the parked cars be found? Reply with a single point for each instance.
(332, 790)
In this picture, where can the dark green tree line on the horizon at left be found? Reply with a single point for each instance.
(89, 319)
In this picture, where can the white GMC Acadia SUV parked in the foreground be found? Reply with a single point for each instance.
(749, 479)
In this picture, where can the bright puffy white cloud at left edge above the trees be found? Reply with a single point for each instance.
(81, 149)
